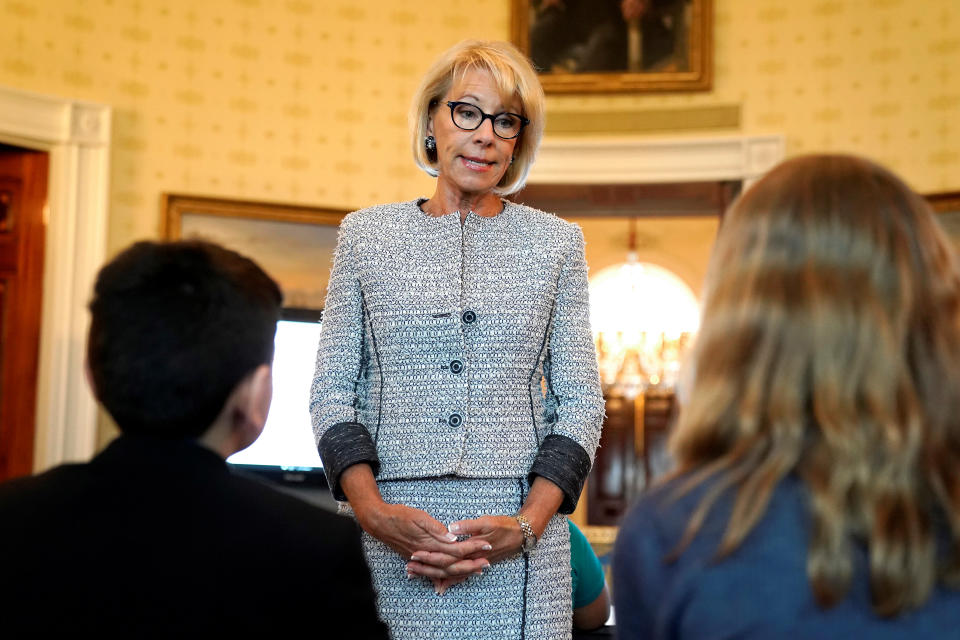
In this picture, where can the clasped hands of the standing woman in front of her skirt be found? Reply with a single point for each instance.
(444, 556)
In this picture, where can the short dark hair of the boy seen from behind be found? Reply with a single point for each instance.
(175, 327)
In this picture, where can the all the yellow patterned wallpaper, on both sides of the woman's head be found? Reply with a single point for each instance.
(305, 100)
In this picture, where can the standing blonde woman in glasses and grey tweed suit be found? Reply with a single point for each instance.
(443, 316)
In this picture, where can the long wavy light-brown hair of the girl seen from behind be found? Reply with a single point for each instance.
(830, 350)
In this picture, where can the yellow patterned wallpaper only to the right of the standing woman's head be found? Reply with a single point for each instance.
(874, 77)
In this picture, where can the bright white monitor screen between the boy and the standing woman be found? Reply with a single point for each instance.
(286, 451)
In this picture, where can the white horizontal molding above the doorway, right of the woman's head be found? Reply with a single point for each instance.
(609, 160)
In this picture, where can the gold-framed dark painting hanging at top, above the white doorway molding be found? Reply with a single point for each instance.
(617, 45)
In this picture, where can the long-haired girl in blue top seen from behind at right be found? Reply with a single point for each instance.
(818, 493)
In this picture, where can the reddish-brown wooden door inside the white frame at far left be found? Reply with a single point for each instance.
(23, 196)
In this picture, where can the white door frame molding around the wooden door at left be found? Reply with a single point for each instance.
(76, 134)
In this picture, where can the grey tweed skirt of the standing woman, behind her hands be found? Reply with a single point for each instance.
(526, 597)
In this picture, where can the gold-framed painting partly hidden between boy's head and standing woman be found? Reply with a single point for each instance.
(294, 244)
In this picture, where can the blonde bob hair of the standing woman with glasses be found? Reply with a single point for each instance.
(513, 75)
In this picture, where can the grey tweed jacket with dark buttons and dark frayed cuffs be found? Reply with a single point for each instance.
(458, 349)
